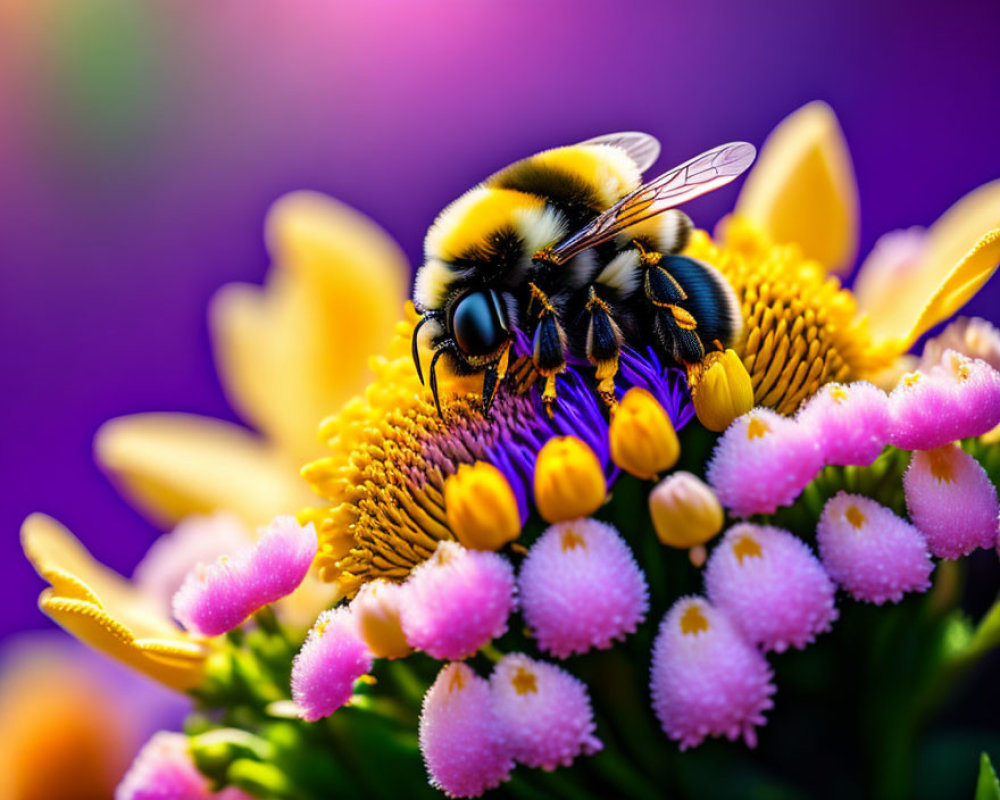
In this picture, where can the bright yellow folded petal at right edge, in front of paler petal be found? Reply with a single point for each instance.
(933, 293)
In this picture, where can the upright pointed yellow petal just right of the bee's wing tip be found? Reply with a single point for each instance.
(803, 190)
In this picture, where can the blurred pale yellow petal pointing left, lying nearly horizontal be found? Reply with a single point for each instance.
(172, 465)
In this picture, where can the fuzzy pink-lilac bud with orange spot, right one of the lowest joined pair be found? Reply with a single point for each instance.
(544, 712)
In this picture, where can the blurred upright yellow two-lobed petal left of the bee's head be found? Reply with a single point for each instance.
(292, 352)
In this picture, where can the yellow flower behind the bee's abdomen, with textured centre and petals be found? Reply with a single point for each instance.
(796, 217)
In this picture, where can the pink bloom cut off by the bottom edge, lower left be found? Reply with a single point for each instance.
(164, 769)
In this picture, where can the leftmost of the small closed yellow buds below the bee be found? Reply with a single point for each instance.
(481, 507)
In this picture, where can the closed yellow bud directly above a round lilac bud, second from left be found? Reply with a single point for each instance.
(569, 481)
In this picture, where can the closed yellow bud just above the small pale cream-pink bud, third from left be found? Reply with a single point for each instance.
(642, 438)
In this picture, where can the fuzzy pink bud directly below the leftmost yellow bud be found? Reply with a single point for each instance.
(457, 601)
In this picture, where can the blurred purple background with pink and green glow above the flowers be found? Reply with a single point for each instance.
(140, 144)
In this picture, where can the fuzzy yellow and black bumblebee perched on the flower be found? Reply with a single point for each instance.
(571, 249)
